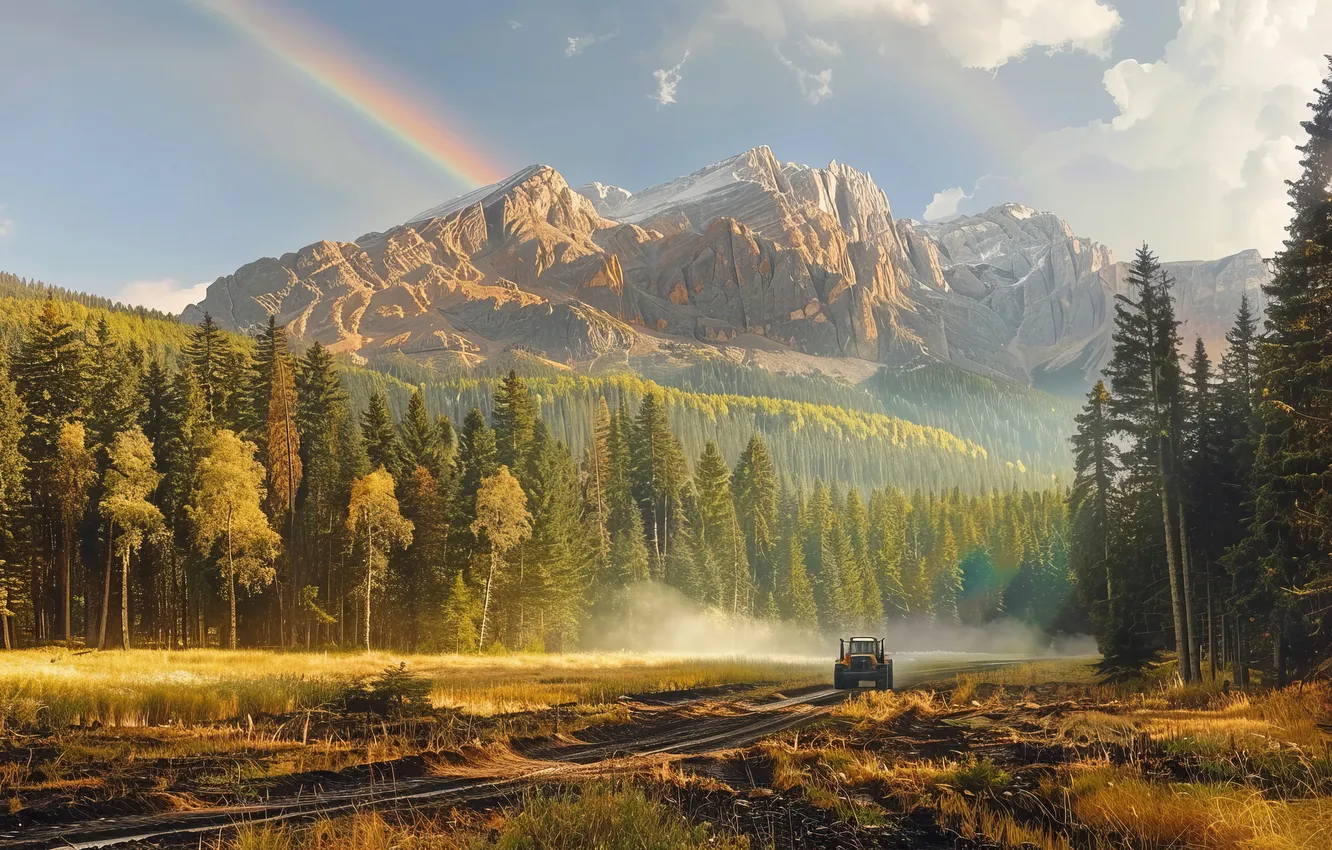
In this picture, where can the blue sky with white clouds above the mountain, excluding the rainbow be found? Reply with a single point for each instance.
(150, 147)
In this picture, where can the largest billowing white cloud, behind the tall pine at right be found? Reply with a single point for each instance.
(1197, 157)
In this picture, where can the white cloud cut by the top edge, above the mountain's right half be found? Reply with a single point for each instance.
(978, 34)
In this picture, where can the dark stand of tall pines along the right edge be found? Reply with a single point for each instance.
(1203, 496)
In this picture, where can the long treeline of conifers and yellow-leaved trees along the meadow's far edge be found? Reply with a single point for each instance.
(243, 498)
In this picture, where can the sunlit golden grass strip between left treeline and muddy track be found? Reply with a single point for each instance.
(54, 688)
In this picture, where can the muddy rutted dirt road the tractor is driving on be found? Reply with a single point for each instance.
(491, 773)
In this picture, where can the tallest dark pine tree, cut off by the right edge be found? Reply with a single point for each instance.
(1283, 567)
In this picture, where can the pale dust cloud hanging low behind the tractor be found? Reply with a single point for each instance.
(656, 619)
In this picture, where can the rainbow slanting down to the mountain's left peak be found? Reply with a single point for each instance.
(335, 67)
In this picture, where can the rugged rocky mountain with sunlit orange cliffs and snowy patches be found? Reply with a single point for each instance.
(748, 255)
